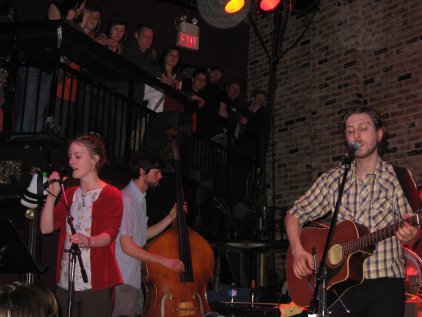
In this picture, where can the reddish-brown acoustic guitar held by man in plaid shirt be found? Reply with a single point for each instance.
(352, 243)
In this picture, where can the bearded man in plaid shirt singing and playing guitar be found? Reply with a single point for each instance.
(372, 197)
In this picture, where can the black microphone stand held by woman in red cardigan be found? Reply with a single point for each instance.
(74, 253)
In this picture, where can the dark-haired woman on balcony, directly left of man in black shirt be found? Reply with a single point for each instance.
(115, 34)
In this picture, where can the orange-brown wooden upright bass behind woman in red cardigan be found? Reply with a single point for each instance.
(170, 294)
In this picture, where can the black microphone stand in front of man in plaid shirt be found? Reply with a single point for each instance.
(321, 275)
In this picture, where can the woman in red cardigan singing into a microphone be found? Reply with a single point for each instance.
(96, 209)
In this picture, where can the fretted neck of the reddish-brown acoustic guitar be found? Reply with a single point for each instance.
(380, 235)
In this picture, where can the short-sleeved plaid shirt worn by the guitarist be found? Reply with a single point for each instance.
(376, 202)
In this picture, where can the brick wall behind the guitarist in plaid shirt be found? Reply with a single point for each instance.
(354, 52)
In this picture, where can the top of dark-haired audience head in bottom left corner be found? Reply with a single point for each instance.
(27, 300)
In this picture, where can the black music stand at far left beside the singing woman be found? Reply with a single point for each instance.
(14, 255)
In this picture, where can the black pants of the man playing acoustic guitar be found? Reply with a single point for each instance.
(383, 297)
